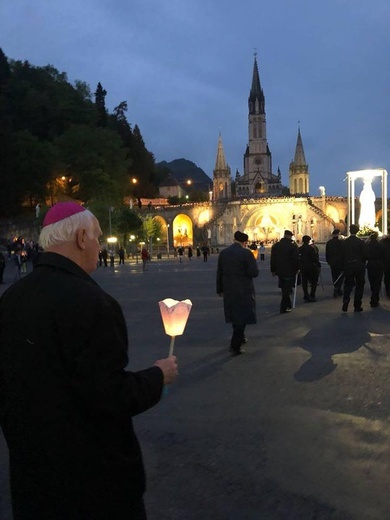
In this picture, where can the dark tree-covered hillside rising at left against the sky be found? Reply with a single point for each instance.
(51, 129)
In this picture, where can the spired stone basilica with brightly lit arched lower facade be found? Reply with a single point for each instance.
(256, 202)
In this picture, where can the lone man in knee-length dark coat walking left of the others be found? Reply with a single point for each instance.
(235, 272)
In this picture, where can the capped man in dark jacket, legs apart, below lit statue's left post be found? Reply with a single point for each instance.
(354, 269)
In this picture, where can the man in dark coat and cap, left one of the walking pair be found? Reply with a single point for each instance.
(285, 265)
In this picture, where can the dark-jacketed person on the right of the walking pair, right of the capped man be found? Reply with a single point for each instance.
(310, 267)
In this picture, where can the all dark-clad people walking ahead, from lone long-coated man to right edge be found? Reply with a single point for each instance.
(293, 265)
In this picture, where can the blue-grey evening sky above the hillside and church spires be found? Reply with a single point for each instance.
(185, 69)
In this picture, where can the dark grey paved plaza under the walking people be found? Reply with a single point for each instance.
(297, 428)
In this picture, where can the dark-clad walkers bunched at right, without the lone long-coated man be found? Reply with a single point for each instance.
(348, 260)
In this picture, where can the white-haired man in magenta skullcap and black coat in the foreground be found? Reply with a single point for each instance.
(66, 400)
